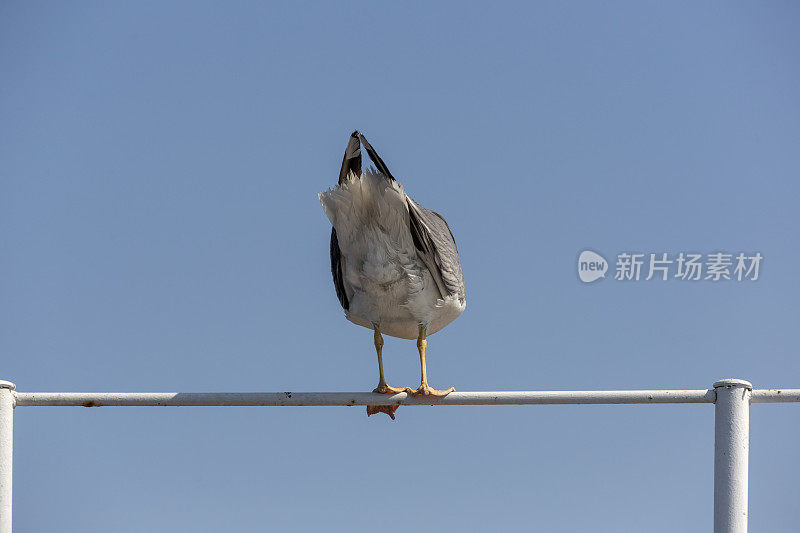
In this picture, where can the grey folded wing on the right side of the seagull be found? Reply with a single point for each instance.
(437, 248)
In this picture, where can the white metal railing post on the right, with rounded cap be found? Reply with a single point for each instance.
(731, 450)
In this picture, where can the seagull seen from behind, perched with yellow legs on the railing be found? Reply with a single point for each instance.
(395, 264)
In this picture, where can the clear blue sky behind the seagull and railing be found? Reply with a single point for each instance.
(160, 231)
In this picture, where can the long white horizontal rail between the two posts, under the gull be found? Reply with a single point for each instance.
(119, 399)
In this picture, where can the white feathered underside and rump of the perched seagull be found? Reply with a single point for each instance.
(385, 280)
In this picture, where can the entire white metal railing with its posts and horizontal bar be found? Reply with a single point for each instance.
(732, 399)
